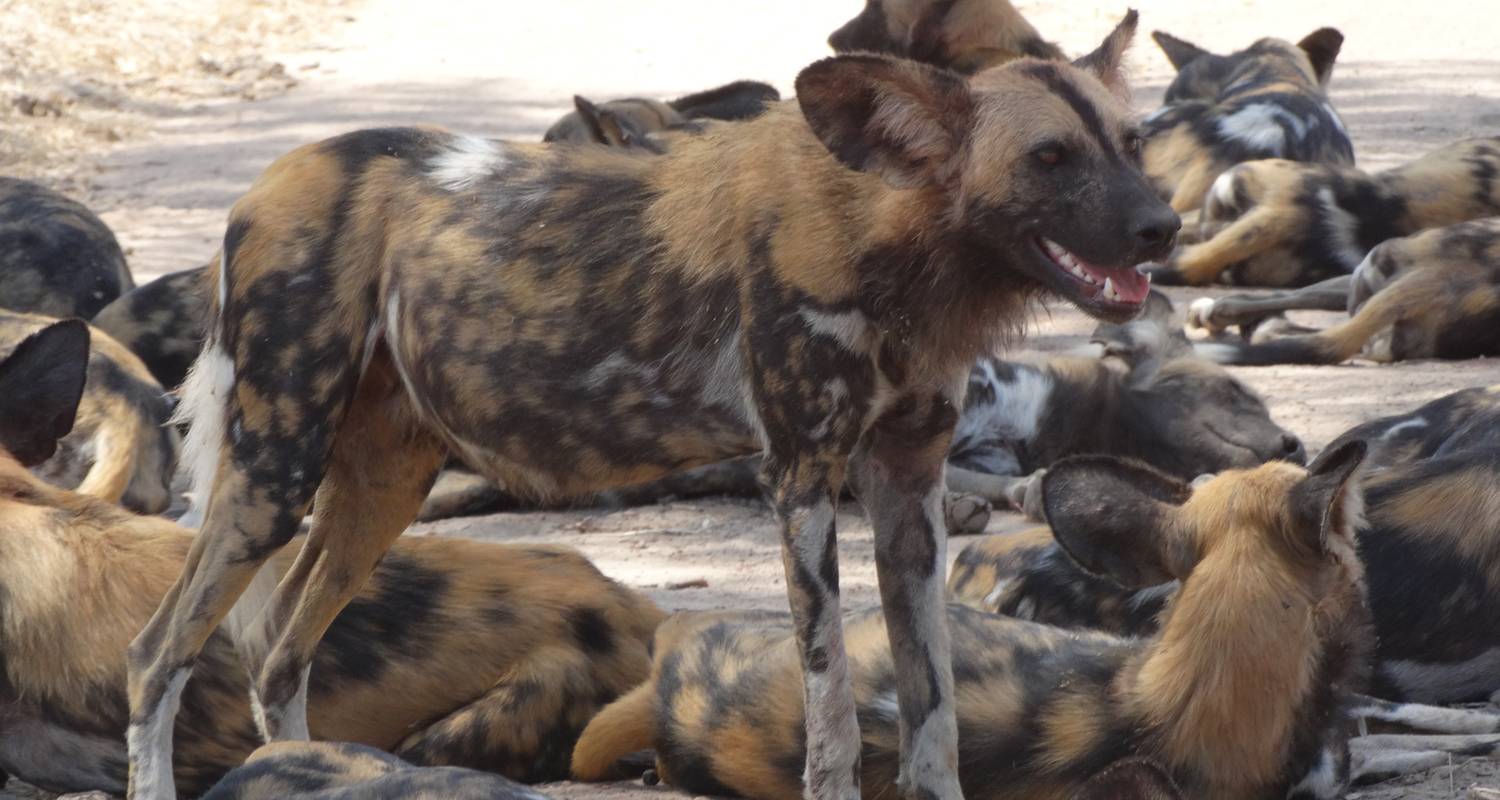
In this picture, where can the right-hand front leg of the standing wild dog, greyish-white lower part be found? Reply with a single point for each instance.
(898, 475)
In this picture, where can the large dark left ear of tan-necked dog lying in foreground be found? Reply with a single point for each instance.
(1117, 520)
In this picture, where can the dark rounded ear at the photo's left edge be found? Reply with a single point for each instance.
(41, 383)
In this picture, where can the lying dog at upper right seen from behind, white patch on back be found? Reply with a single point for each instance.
(1265, 101)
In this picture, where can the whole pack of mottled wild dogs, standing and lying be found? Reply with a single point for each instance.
(803, 299)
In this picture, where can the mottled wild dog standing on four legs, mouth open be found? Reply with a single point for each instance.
(814, 284)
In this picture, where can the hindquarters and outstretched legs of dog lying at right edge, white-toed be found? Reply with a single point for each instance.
(1435, 295)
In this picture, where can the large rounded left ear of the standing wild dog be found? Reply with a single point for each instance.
(899, 119)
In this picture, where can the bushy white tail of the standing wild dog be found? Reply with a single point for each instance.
(206, 395)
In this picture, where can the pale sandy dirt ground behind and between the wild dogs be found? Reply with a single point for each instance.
(1412, 77)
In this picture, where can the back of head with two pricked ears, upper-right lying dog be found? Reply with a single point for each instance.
(1205, 76)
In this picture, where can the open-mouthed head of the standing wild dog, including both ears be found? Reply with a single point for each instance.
(1034, 167)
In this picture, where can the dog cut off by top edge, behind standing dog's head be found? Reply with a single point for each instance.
(961, 35)
